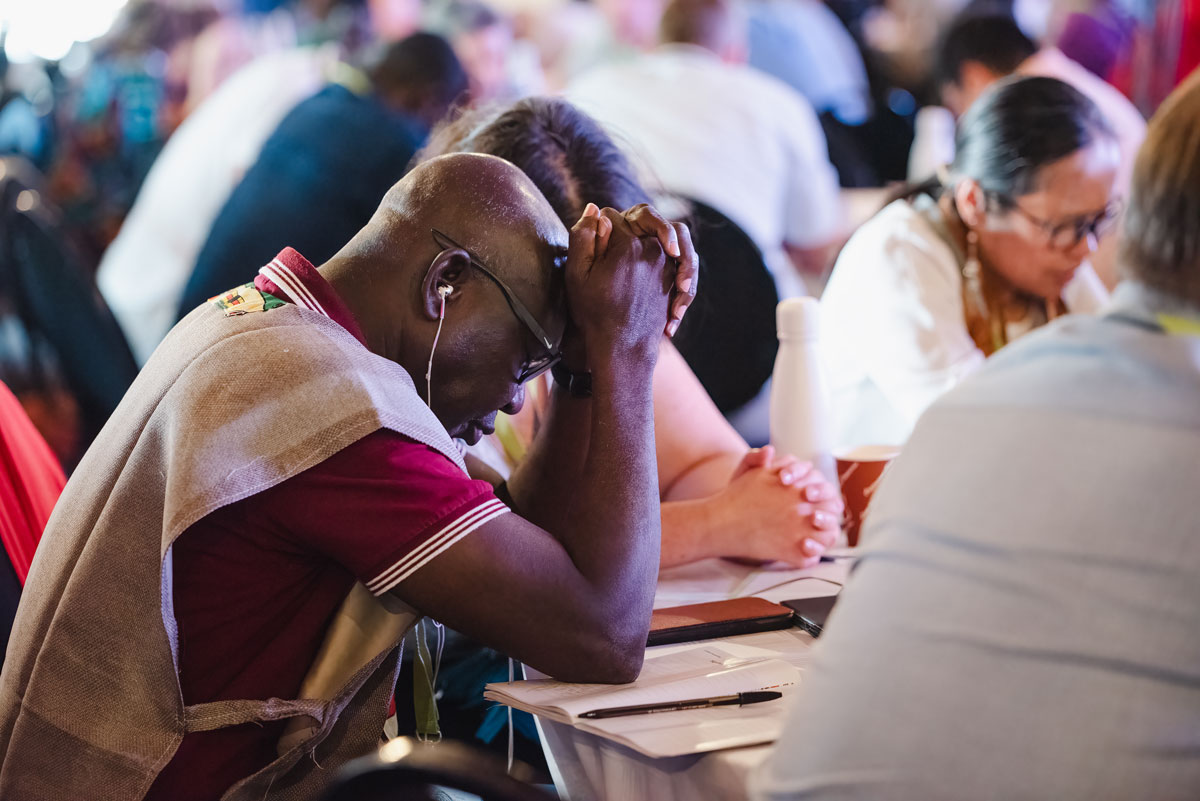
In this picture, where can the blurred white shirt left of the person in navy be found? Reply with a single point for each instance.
(145, 270)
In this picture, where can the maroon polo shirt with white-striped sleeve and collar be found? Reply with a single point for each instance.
(257, 583)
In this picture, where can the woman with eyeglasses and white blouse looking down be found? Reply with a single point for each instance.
(992, 249)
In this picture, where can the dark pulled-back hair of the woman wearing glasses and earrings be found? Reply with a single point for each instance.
(1017, 128)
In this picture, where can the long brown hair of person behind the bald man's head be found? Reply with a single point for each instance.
(566, 153)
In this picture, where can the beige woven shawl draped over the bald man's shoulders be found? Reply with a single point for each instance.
(227, 407)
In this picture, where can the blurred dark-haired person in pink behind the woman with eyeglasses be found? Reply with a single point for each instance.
(980, 50)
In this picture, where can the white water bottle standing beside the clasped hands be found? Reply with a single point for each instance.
(801, 421)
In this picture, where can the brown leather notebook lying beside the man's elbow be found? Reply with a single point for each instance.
(717, 619)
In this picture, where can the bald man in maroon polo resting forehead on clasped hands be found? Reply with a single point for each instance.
(280, 492)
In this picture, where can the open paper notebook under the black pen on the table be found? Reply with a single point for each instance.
(700, 671)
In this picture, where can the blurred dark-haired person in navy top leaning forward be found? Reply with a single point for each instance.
(321, 174)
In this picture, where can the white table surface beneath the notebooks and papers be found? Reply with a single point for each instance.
(590, 768)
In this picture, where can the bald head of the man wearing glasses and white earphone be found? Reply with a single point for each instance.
(418, 298)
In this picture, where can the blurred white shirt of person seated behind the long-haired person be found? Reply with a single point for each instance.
(728, 136)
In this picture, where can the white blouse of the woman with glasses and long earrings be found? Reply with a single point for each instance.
(893, 330)
